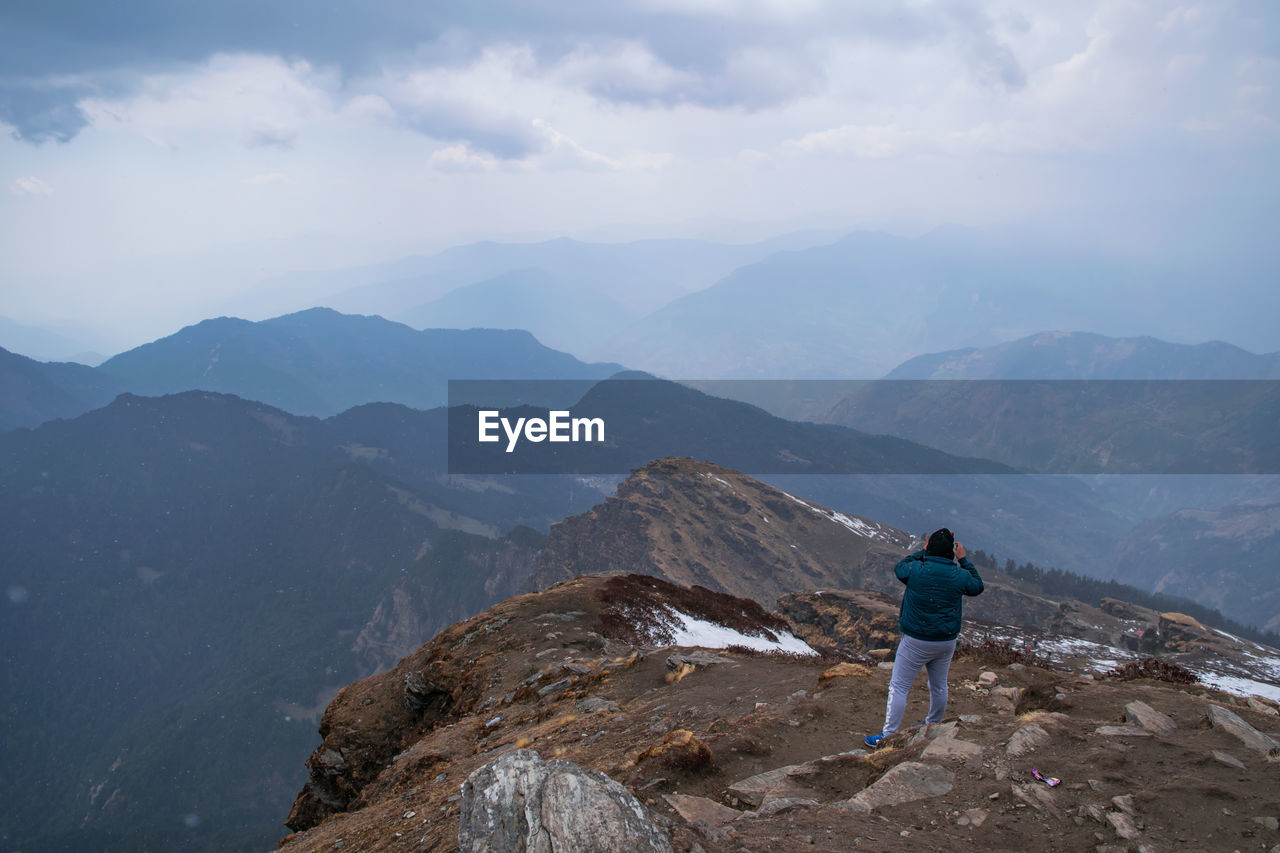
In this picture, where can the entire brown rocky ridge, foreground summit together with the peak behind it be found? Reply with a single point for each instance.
(733, 728)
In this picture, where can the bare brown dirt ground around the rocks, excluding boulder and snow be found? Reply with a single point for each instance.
(758, 713)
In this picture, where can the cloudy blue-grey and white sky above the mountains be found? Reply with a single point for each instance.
(157, 154)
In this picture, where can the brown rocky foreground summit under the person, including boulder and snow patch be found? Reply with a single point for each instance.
(683, 719)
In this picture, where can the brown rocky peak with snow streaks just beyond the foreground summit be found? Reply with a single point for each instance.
(697, 523)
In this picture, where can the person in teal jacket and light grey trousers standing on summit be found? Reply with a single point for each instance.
(930, 622)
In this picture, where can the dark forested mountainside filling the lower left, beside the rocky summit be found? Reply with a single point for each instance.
(190, 578)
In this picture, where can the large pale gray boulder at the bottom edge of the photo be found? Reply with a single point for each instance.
(519, 804)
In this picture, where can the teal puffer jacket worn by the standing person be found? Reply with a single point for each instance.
(935, 594)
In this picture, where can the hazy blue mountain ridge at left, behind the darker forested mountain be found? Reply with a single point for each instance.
(312, 363)
